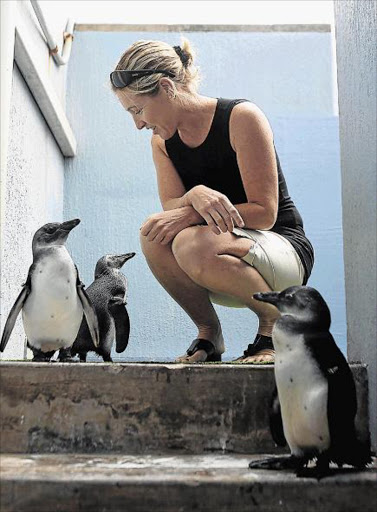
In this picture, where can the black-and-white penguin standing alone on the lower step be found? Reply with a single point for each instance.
(315, 387)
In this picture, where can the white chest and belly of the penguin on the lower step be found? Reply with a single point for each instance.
(303, 394)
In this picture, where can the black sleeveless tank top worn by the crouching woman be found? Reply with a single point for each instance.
(214, 164)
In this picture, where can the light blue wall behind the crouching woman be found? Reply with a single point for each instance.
(111, 184)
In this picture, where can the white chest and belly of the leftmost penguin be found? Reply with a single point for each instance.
(53, 312)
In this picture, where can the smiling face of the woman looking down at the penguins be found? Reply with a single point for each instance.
(155, 113)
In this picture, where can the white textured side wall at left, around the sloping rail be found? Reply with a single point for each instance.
(34, 174)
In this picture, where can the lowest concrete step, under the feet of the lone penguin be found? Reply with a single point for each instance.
(211, 483)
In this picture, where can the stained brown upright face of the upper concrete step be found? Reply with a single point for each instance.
(141, 408)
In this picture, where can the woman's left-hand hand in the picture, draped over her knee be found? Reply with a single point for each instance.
(164, 226)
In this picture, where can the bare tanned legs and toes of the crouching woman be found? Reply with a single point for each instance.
(199, 261)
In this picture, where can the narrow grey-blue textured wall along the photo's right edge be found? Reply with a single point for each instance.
(356, 34)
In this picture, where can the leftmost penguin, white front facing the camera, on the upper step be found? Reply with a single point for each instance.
(53, 298)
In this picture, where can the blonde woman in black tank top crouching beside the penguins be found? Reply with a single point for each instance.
(228, 228)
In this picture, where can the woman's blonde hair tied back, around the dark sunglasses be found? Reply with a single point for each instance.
(159, 55)
